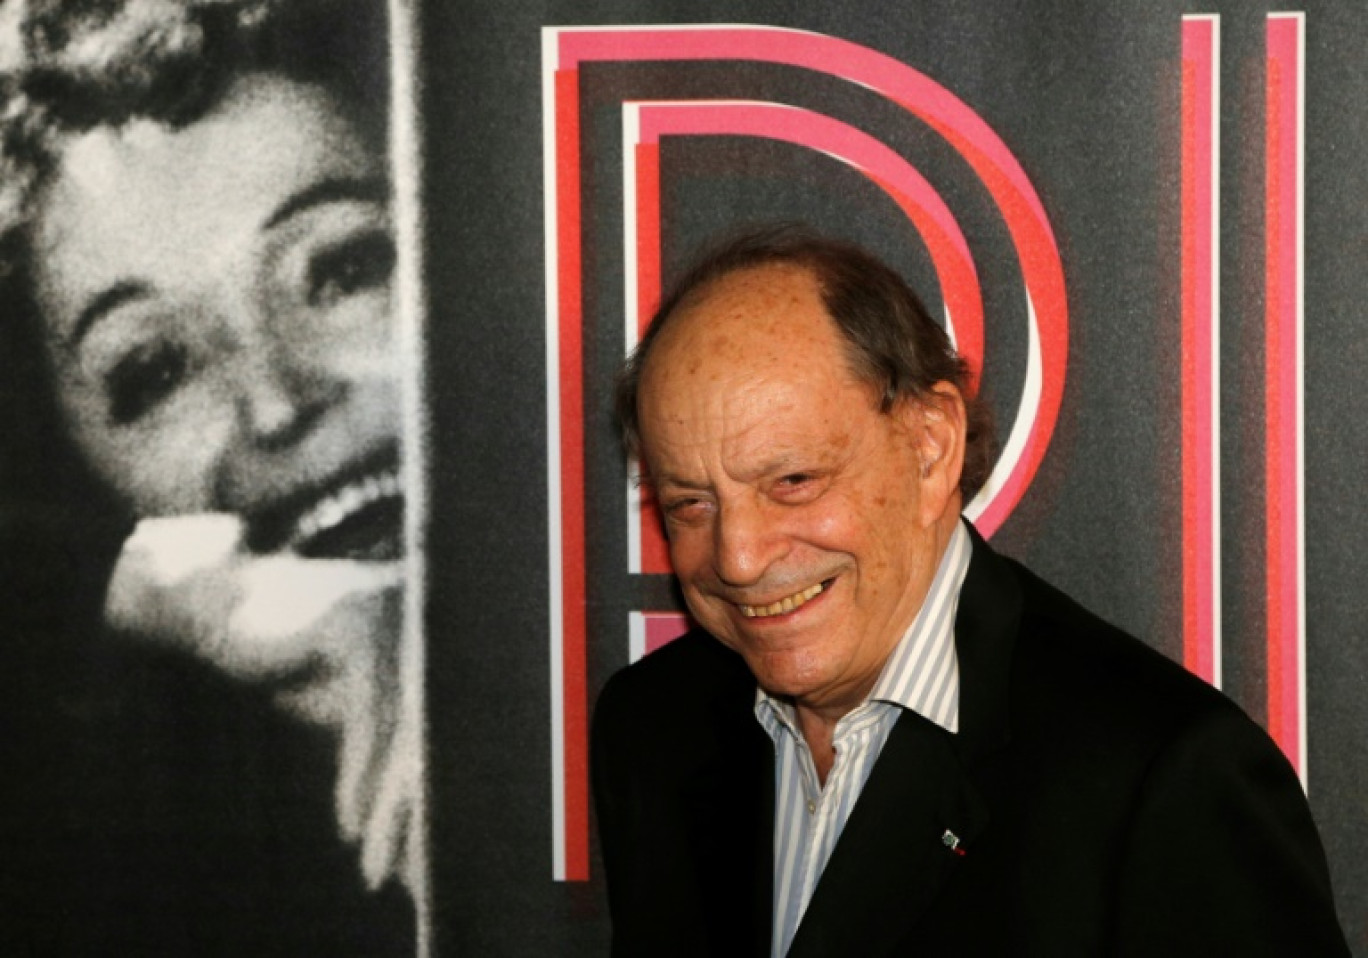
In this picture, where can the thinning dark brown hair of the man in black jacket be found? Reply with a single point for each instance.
(891, 341)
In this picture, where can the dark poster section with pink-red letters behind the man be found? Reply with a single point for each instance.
(1143, 222)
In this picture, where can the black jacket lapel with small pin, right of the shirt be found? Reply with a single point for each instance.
(893, 859)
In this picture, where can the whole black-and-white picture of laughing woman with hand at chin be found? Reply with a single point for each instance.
(202, 510)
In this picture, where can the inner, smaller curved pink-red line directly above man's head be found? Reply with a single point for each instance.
(895, 176)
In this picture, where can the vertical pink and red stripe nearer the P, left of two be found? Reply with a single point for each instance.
(1199, 340)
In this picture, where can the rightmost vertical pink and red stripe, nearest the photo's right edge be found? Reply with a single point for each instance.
(1282, 346)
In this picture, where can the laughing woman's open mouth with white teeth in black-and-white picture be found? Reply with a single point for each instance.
(358, 518)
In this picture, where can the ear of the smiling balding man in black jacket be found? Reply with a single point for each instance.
(936, 426)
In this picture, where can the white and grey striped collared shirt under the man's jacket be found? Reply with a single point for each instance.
(923, 675)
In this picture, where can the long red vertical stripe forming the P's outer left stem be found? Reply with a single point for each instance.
(570, 294)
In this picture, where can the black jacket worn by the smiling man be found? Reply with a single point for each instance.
(1107, 804)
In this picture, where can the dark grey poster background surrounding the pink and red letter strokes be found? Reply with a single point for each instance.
(1087, 98)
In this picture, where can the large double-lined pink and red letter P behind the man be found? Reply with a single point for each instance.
(566, 50)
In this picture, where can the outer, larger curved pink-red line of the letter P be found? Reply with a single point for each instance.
(934, 105)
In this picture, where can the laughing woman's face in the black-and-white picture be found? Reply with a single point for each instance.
(218, 307)
